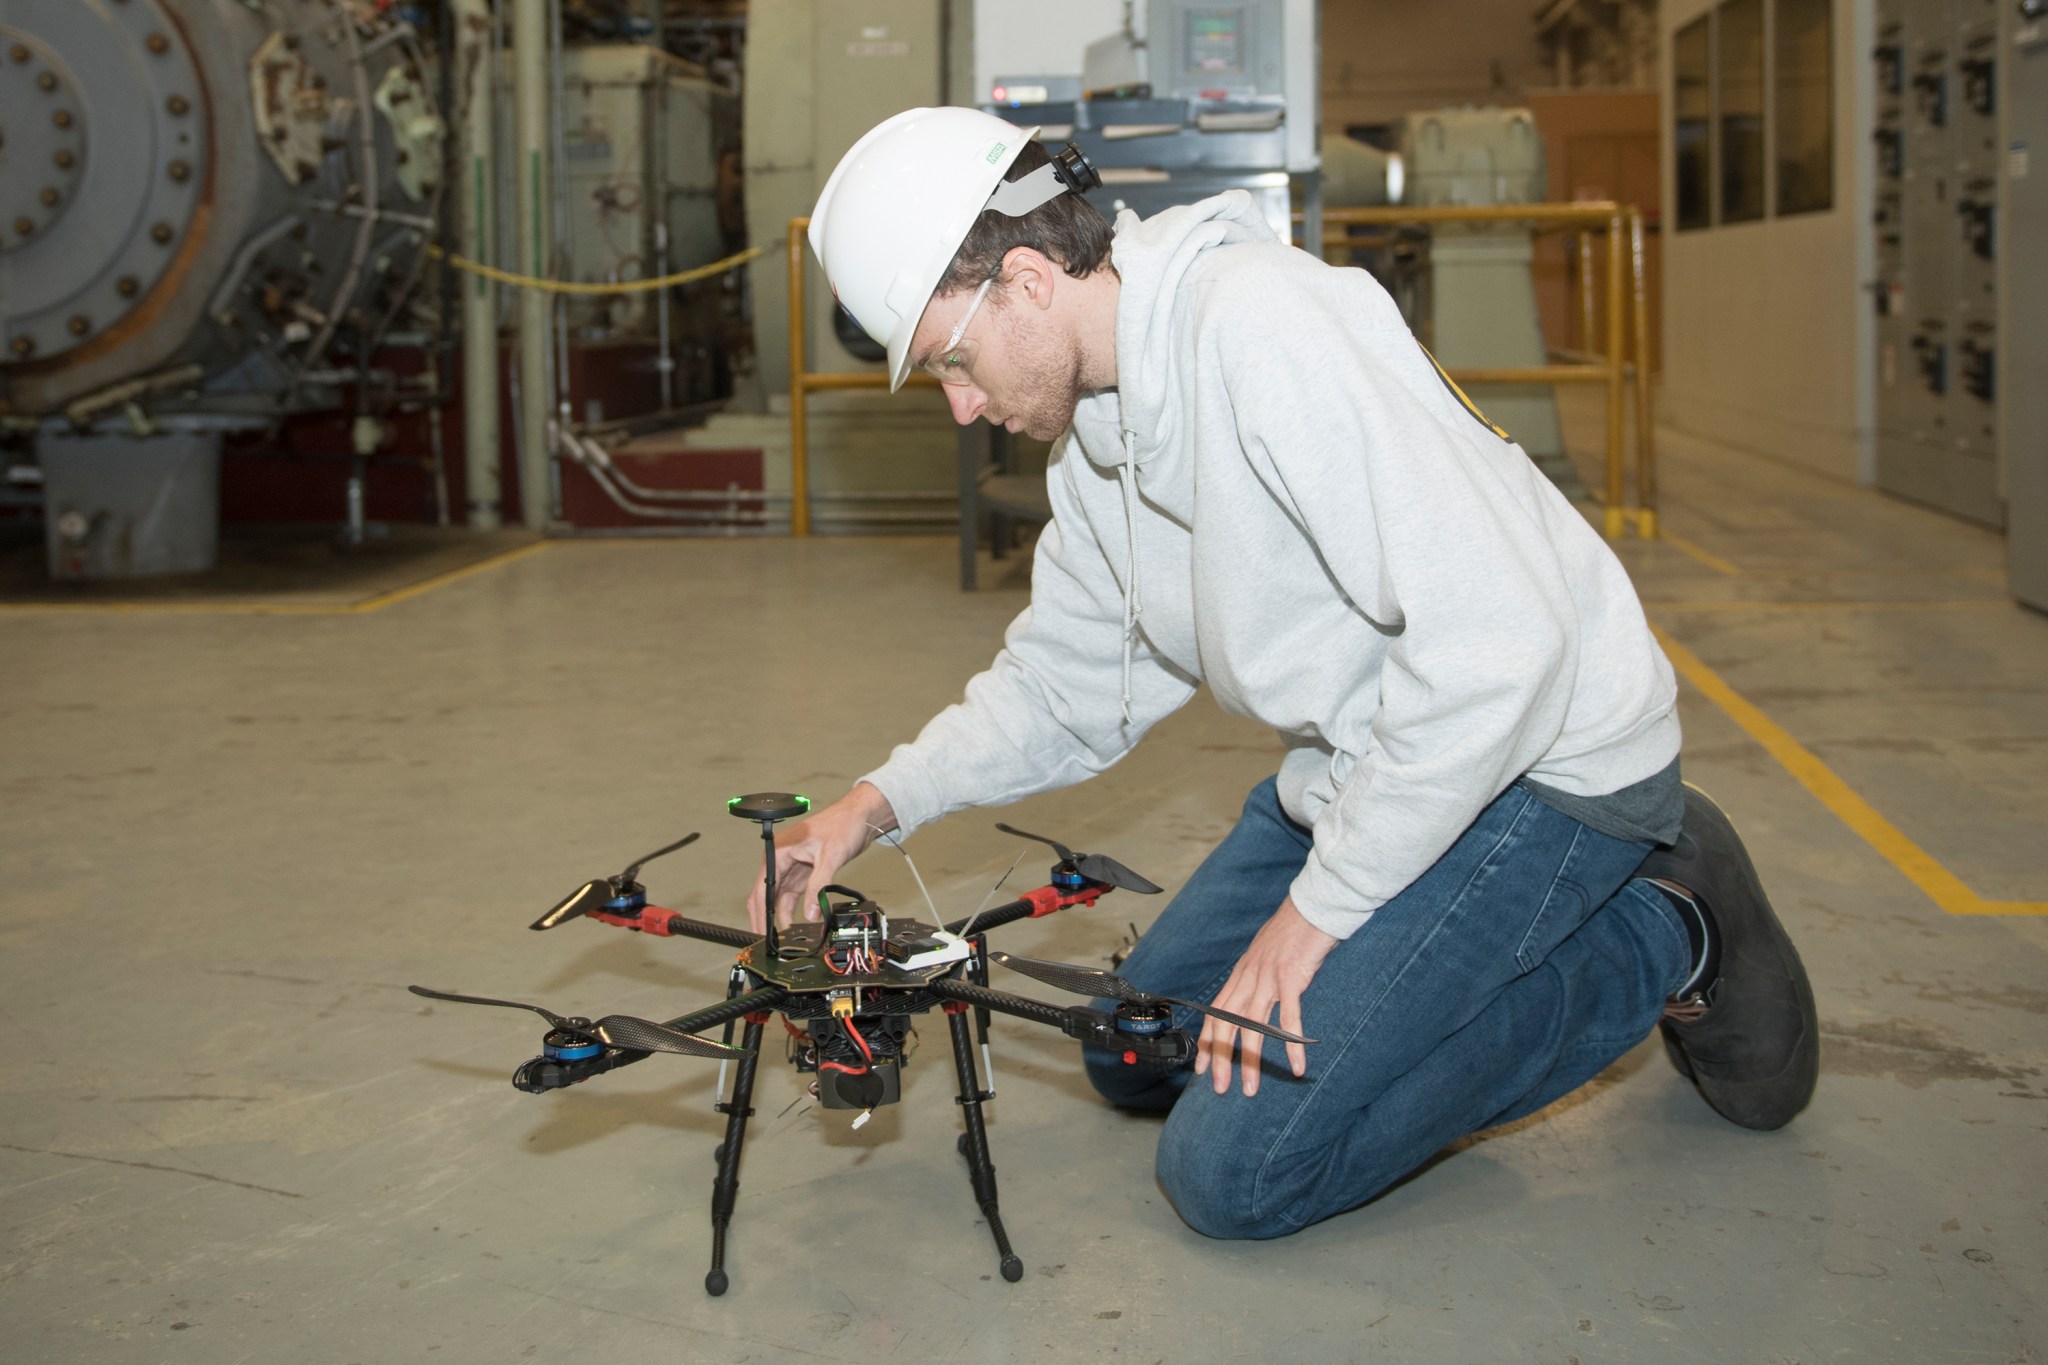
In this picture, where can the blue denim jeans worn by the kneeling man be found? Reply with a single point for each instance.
(1506, 977)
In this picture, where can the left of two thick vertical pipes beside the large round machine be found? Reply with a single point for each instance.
(476, 191)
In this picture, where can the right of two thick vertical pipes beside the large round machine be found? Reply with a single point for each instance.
(536, 195)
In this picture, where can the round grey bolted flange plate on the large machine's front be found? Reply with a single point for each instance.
(105, 157)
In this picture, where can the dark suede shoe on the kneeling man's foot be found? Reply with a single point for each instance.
(1750, 1041)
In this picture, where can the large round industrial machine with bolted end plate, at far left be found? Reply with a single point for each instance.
(210, 214)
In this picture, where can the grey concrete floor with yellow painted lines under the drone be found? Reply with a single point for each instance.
(228, 1135)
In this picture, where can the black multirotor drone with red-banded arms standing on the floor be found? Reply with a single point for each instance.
(847, 989)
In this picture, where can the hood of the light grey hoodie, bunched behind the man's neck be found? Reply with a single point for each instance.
(1154, 257)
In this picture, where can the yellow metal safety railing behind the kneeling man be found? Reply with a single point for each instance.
(1621, 224)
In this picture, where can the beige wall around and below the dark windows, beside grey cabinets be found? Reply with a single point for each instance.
(1768, 328)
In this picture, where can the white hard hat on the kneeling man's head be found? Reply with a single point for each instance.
(898, 208)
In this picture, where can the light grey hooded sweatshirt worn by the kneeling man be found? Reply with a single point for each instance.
(1287, 502)
